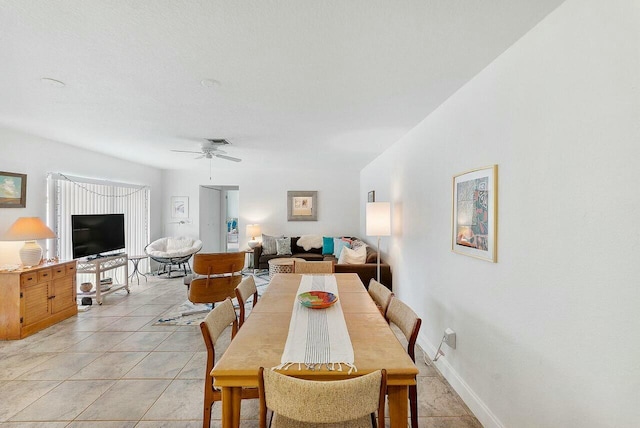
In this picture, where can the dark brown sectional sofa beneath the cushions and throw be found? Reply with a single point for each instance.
(365, 271)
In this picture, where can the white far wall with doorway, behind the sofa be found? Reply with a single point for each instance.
(263, 199)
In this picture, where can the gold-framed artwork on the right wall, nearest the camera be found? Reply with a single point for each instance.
(475, 213)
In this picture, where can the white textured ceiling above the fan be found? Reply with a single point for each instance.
(333, 81)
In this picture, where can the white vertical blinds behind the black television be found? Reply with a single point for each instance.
(68, 195)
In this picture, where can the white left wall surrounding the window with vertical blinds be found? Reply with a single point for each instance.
(34, 156)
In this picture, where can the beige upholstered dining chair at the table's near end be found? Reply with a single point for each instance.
(299, 402)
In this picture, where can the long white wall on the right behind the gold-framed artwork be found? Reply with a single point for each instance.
(548, 336)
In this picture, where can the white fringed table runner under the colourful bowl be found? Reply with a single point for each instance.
(318, 336)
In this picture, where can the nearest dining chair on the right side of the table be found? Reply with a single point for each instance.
(408, 322)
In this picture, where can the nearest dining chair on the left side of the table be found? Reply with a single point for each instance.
(212, 327)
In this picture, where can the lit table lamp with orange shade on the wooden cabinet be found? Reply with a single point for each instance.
(29, 229)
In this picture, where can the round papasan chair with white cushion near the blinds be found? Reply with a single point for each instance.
(169, 252)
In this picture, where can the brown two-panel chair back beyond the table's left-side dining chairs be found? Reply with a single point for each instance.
(222, 274)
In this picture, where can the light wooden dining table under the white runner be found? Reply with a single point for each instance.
(261, 341)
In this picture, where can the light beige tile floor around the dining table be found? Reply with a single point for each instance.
(111, 367)
